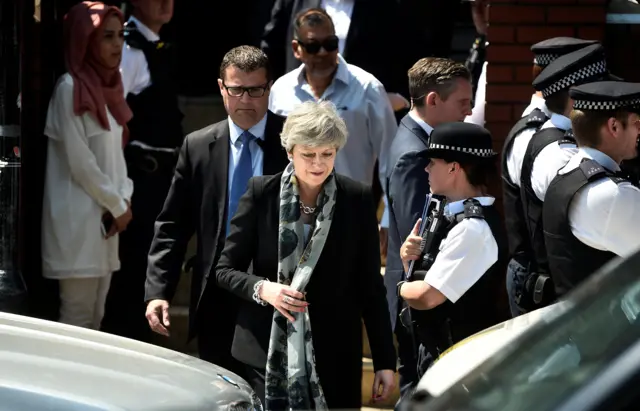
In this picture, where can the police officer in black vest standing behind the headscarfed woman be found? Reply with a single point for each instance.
(155, 137)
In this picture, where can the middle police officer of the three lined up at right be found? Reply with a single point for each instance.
(549, 150)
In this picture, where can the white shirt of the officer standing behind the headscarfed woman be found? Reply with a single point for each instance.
(133, 66)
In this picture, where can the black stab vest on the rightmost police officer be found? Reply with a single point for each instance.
(570, 260)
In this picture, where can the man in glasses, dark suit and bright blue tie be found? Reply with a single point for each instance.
(213, 169)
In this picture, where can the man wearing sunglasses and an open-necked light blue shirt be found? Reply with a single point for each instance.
(360, 98)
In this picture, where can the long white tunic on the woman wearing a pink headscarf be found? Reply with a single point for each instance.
(86, 175)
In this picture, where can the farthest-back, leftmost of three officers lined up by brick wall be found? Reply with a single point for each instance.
(515, 145)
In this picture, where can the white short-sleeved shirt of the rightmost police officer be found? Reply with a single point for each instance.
(603, 214)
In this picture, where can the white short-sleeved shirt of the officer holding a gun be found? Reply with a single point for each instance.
(466, 253)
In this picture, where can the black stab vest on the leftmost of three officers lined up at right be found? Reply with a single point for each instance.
(519, 244)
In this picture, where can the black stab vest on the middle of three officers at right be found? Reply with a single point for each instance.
(531, 204)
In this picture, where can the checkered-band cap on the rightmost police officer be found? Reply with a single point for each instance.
(606, 96)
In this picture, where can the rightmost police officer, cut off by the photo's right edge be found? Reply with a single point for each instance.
(595, 209)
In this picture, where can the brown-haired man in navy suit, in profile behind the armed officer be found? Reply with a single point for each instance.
(440, 92)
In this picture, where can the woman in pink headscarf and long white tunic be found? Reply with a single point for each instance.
(87, 192)
